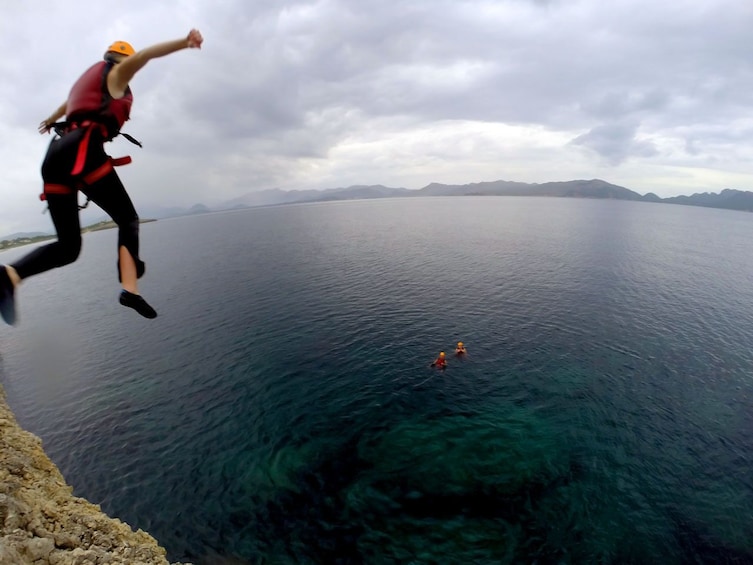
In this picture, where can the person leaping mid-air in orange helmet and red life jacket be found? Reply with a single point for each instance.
(98, 105)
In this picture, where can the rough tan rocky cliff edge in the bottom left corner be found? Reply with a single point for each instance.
(42, 523)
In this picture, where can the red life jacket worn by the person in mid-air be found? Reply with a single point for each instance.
(90, 99)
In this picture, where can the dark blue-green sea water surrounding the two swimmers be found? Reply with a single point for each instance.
(281, 409)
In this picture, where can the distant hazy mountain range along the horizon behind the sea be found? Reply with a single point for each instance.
(729, 199)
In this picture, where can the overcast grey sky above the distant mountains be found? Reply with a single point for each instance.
(655, 96)
